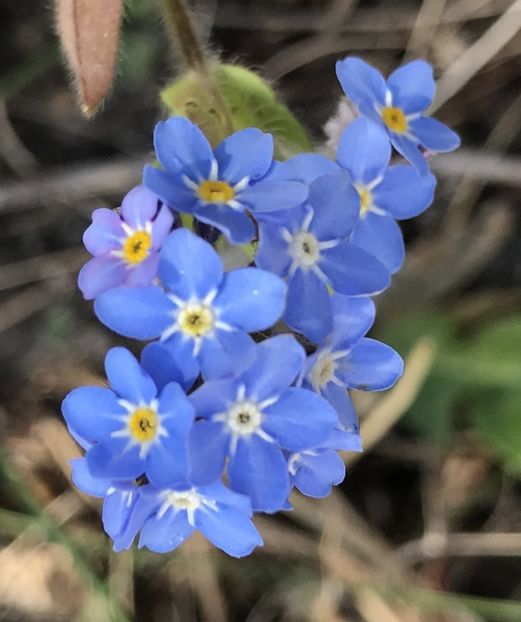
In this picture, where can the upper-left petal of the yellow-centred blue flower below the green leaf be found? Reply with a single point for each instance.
(180, 145)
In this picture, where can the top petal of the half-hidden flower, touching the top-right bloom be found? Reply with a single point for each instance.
(364, 150)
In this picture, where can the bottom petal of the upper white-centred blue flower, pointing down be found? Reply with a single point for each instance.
(308, 309)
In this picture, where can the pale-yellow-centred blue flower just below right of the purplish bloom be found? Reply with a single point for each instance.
(204, 315)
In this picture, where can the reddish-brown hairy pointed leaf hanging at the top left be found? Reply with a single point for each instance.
(89, 32)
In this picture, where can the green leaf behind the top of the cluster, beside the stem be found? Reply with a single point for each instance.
(232, 98)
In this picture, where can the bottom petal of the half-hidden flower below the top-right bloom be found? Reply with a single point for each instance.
(380, 236)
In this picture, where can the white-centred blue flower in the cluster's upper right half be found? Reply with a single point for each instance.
(312, 248)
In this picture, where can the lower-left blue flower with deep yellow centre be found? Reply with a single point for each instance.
(132, 427)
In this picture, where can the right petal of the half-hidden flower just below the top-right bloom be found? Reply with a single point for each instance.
(403, 192)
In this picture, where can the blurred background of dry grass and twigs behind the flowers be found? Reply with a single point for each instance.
(427, 525)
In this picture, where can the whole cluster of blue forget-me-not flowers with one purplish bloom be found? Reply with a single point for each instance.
(246, 375)
